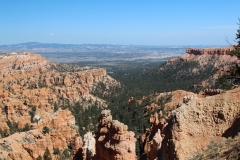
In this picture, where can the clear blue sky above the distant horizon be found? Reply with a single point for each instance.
(136, 22)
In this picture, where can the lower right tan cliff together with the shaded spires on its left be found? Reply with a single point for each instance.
(192, 126)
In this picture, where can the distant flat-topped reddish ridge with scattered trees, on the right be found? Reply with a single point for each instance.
(212, 61)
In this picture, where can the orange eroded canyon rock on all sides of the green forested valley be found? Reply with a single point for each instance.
(35, 96)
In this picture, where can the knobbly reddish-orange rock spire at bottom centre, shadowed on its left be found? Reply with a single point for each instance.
(113, 141)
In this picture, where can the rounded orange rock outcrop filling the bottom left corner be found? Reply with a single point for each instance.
(33, 143)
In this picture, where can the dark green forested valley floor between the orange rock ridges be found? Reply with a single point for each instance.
(141, 83)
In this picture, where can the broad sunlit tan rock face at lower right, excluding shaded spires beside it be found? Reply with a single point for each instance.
(201, 121)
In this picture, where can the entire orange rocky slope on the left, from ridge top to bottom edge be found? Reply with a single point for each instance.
(32, 93)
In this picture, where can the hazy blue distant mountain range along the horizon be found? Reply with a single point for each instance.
(55, 47)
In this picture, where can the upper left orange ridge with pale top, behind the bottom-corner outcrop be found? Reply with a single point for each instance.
(29, 83)
